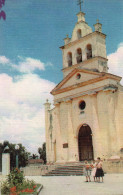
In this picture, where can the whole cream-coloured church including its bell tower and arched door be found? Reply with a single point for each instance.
(87, 119)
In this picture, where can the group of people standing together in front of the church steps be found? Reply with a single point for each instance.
(95, 170)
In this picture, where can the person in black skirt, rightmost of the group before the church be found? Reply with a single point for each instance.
(99, 171)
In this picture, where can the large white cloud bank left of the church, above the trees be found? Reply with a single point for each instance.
(22, 109)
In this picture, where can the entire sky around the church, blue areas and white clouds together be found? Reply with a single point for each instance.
(30, 58)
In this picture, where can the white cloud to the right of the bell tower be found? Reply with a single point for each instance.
(115, 61)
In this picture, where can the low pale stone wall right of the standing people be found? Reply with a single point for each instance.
(113, 166)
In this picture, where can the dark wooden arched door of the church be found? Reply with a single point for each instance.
(85, 143)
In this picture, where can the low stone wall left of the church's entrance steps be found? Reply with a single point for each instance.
(37, 170)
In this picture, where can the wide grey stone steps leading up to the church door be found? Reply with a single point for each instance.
(67, 169)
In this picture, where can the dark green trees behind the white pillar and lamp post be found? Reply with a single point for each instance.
(22, 154)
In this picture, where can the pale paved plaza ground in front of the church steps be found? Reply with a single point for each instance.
(75, 185)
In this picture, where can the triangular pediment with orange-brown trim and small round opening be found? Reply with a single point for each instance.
(77, 76)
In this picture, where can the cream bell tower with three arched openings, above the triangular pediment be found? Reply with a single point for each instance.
(86, 49)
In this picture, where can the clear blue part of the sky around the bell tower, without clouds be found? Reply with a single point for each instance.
(36, 28)
